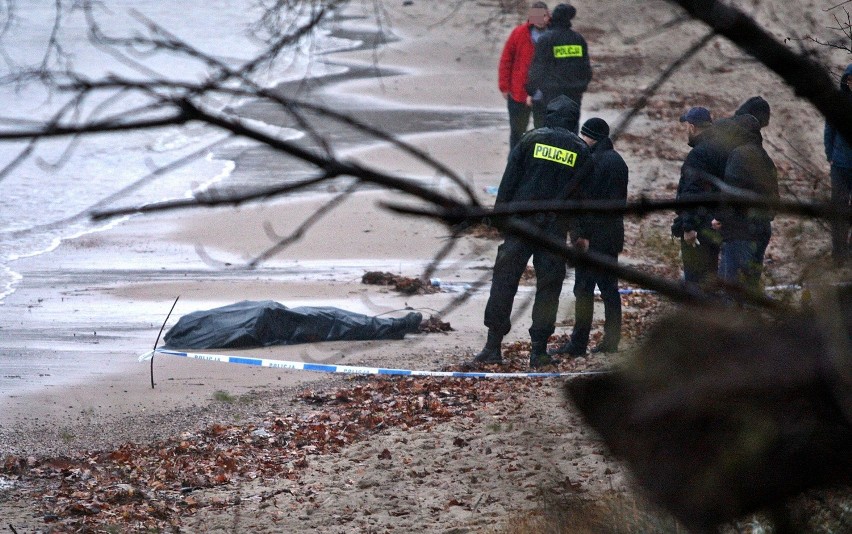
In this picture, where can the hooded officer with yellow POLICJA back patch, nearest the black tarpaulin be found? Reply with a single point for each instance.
(549, 163)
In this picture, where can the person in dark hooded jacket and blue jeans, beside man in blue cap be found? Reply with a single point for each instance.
(746, 231)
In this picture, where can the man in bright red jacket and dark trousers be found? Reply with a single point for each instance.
(514, 65)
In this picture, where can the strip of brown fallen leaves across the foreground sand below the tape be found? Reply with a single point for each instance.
(141, 487)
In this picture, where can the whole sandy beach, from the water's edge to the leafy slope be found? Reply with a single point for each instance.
(71, 332)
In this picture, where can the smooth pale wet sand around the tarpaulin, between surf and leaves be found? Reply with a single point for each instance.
(74, 327)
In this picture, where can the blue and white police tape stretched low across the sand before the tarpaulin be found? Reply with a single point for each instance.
(349, 369)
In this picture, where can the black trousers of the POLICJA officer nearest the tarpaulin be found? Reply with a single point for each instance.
(512, 258)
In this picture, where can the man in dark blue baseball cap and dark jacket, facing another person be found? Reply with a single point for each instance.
(699, 244)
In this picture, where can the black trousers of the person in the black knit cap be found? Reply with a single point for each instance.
(585, 280)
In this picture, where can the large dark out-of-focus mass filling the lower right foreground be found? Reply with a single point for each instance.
(727, 414)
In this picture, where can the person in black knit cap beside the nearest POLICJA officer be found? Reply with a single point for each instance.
(602, 234)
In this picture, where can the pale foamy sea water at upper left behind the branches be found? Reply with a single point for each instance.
(46, 196)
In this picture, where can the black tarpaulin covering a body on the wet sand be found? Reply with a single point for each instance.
(263, 323)
